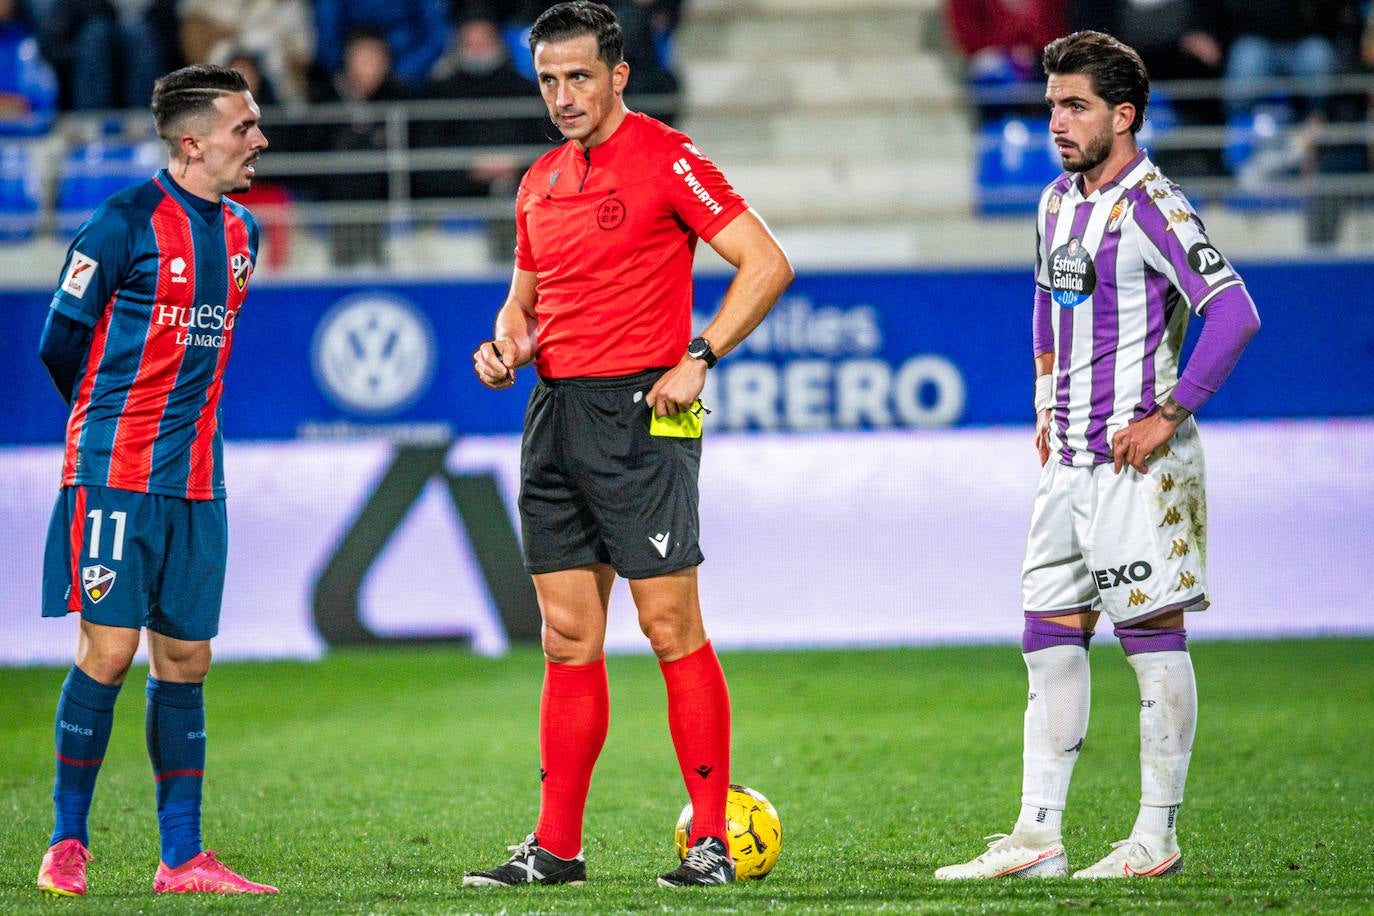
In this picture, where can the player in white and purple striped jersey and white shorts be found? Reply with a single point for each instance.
(1119, 524)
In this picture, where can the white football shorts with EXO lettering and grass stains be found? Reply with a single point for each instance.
(1130, 545)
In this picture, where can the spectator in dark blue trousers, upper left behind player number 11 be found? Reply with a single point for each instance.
(108, 54)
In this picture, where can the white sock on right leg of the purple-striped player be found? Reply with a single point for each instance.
(1169, 722)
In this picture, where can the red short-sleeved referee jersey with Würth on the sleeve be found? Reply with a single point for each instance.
(611, 233)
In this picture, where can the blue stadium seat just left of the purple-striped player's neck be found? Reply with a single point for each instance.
(1016, 161)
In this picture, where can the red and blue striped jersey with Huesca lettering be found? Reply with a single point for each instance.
(160, 285)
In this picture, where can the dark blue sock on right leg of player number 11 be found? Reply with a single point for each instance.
(177, 748)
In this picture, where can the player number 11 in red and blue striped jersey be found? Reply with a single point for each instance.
(137, 341)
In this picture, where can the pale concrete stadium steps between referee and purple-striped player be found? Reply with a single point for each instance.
(846, 124)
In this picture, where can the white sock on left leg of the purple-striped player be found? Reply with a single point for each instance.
(1056, 722)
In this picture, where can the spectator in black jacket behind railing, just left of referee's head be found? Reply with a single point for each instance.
(477, 65)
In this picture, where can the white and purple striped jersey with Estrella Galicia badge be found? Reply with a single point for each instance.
(1119, 274)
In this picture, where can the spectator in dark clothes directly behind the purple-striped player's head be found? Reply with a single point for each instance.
(1178, 41)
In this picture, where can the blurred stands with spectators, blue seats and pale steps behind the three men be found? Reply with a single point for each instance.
(429, 108)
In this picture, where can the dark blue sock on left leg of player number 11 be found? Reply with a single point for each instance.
(83, 724)
